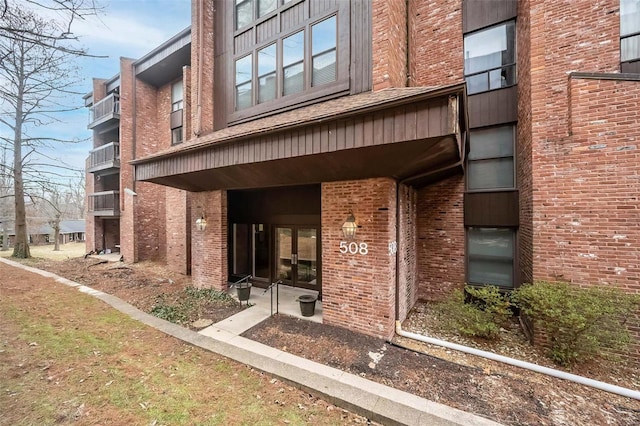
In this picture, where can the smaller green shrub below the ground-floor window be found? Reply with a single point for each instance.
(480, 316)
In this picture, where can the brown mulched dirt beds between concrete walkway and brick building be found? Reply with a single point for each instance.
(503, 393)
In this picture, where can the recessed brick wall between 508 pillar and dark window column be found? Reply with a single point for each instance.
(440, 245)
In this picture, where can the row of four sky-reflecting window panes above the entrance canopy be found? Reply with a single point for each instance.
(297, 59)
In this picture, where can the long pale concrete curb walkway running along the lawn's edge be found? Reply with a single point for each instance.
(377, 402)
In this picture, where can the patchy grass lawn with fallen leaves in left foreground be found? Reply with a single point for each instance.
(66, 357)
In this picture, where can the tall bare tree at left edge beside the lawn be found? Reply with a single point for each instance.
(37, 76)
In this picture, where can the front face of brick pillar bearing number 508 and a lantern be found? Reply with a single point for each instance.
(359, 289)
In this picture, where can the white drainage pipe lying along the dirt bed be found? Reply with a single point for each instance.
(618, 390)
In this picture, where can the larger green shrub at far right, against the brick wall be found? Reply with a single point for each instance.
(580, 323)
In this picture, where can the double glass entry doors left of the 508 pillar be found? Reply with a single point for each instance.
(296, 256)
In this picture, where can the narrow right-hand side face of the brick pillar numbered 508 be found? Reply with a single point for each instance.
(407, 256)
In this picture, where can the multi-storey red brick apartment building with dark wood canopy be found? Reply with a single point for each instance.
(471, 141)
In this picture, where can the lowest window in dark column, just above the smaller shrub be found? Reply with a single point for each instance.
(491, 256)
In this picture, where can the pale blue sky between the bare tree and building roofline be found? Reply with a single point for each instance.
(124, 28)
